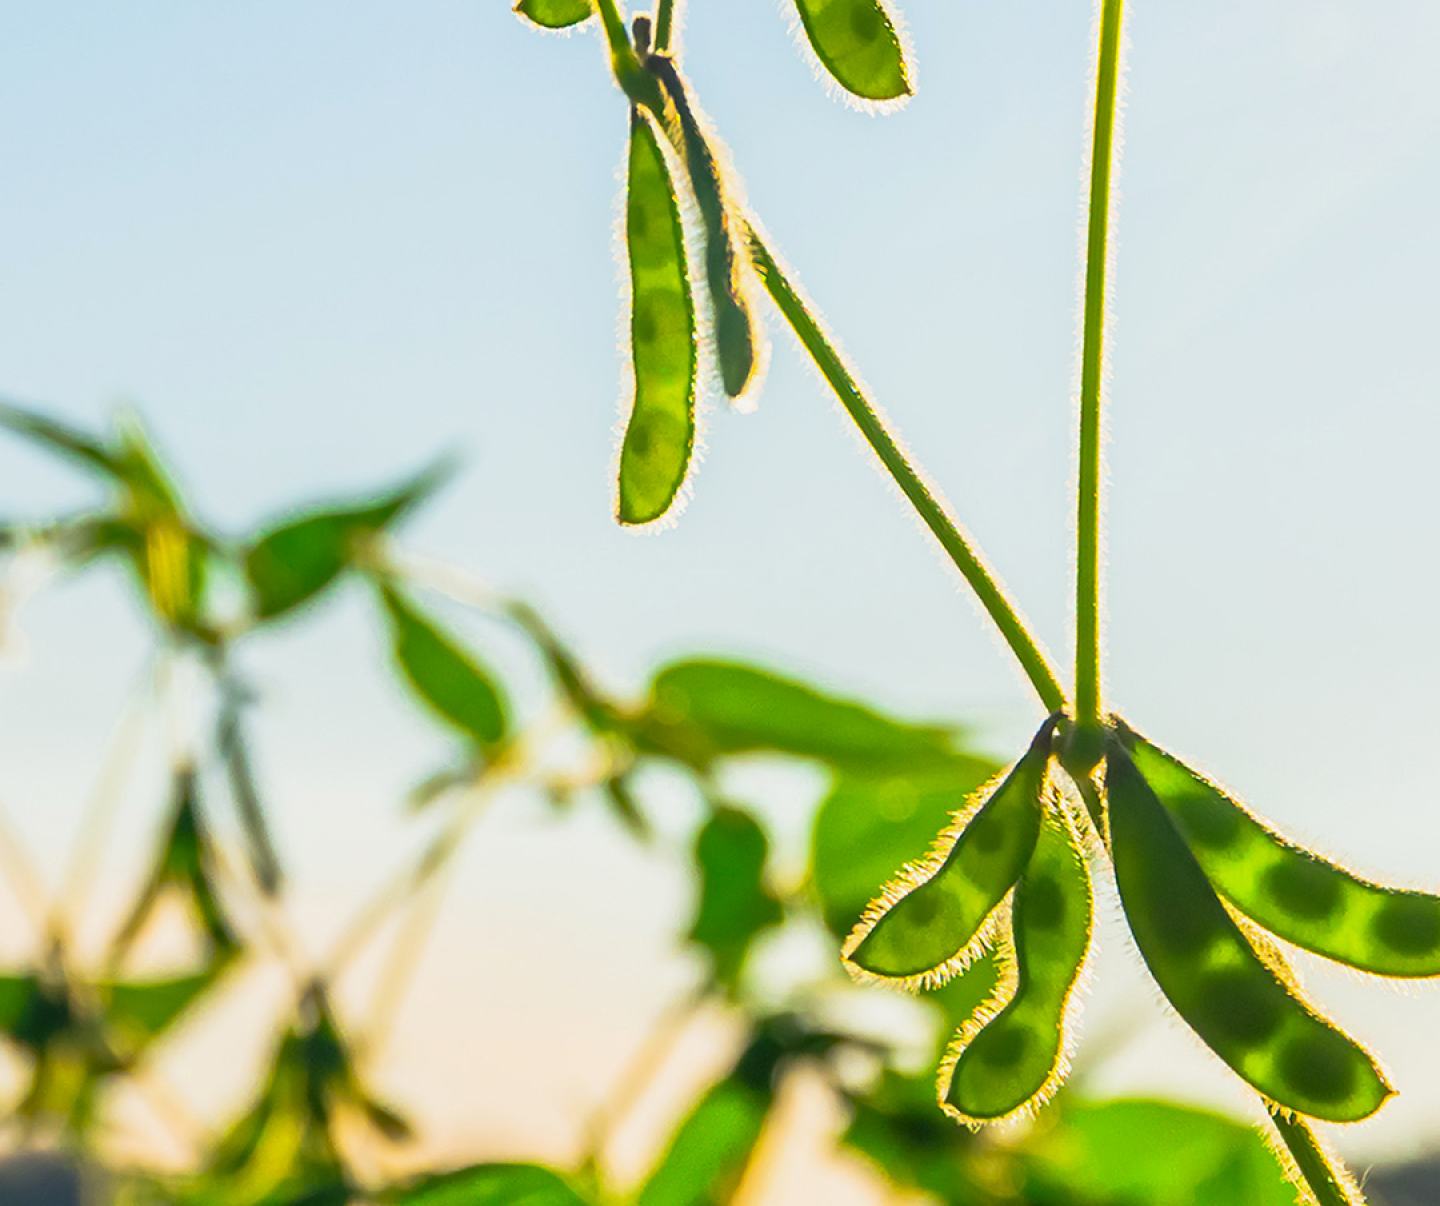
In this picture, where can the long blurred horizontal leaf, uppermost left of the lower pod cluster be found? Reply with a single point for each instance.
(702, 710)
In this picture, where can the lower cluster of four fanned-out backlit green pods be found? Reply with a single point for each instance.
(1206, 887)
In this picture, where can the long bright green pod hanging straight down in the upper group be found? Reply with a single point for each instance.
(660, 435)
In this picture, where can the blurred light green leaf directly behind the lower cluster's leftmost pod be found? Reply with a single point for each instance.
(868, 828)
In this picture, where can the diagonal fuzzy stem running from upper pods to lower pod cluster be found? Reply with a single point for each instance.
(928, 506)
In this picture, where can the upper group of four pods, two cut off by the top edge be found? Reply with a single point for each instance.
(856, 44)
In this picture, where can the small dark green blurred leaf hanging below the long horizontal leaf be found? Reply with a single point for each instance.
(735, 903)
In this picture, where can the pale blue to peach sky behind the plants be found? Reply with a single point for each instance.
(316, 244)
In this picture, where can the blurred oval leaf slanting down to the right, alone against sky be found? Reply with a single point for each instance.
(456, 687)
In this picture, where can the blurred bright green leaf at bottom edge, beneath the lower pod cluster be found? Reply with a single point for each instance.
(1153, 1153)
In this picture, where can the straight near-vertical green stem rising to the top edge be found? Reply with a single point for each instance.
(1092, 369)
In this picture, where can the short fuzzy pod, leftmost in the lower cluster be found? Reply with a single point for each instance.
(940, 913)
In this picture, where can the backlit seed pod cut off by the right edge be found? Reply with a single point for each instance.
(1292, 893)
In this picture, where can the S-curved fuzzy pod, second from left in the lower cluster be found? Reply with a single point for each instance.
(1007, 1063)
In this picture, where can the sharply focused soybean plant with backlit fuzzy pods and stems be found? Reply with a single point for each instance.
(1203, 883)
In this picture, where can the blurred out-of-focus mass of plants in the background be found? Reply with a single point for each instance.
(303, 1141)
